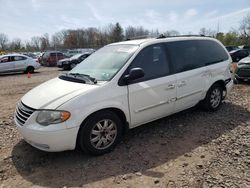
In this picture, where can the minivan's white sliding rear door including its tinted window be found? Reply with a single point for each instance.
(190, 73)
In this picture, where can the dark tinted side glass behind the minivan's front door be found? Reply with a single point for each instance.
(192, 54)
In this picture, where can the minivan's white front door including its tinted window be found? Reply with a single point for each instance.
(152, 96)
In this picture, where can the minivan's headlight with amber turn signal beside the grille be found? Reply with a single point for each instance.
(47, 117)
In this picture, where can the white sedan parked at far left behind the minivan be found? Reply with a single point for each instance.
(17, 62)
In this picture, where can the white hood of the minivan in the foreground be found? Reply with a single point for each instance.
(54, 93)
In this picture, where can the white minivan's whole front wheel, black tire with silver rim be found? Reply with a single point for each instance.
(100, 133)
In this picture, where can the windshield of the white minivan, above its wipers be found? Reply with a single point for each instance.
(106, 62)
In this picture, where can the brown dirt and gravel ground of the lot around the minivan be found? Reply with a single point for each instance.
(189, 149)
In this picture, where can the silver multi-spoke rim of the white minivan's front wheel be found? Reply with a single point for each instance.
(103, 134)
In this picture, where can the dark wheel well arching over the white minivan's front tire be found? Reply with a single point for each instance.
(117, 111)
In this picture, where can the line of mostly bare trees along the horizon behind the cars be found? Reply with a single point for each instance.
(96, 37)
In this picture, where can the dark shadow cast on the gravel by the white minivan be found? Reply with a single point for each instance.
(142, 148)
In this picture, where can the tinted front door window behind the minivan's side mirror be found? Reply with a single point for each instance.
(153, 61)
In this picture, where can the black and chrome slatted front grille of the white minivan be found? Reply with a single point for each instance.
(23, 112)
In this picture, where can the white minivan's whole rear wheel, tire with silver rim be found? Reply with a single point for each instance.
(213, 99)
